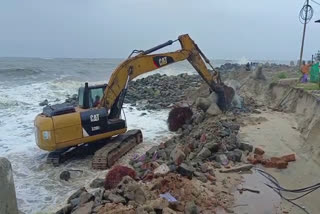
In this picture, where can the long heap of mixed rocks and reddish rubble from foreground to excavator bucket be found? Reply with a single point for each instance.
(180, 175)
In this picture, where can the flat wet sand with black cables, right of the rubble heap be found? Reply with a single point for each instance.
(278, 136)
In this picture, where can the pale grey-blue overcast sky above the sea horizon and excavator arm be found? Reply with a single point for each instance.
(227, 29)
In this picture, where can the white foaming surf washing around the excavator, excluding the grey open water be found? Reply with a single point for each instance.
(33, 177)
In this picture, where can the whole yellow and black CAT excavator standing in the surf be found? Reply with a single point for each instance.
(98, 115)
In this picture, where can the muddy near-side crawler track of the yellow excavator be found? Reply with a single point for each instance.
(105, 157)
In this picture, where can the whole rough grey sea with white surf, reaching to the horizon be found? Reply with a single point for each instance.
(24, 83)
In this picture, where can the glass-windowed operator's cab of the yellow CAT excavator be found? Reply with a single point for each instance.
(90, 96)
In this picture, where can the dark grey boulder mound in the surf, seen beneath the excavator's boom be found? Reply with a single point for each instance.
(160, 91)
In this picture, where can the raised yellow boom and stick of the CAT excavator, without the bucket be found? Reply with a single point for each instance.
(144, 62)
